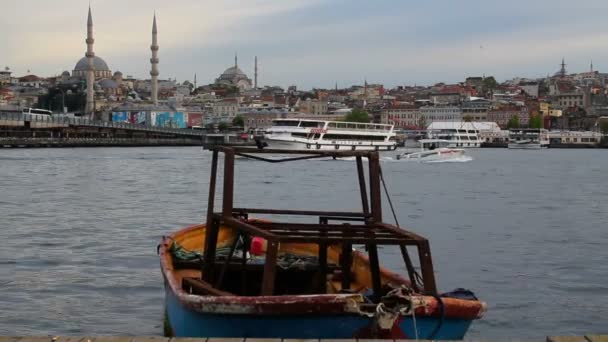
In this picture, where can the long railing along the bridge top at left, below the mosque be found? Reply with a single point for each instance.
(75, 121)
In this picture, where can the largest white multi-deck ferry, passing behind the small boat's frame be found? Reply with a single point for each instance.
(303, 134)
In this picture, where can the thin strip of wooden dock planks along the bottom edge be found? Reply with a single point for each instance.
(585, 338)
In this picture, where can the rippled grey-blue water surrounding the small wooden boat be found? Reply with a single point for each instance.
(526, 230)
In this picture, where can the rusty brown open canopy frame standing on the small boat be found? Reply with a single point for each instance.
(371, 231)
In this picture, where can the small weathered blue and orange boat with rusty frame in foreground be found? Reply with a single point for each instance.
(308, 282)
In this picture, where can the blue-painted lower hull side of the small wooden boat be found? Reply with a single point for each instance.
(185, 322)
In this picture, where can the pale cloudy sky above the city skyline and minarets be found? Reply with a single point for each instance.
(311, 43)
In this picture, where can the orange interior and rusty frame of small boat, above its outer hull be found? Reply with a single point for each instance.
(234, 253)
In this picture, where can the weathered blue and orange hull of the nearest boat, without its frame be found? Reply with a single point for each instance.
(328, 315)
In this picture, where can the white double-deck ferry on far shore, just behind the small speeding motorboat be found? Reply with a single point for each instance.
(457, 133)
